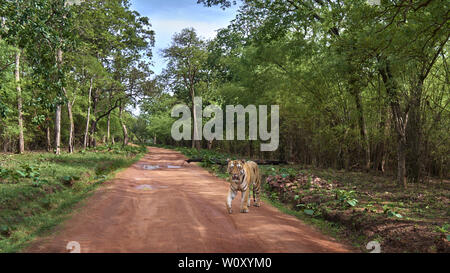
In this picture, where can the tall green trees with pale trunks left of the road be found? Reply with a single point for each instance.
(69, 73)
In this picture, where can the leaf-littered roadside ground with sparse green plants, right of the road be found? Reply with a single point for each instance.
(356, 207)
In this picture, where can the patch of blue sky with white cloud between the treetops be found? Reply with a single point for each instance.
(171, 16)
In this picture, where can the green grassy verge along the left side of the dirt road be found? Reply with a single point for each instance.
(39, 190)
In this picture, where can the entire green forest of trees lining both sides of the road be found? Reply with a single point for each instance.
(362, 87)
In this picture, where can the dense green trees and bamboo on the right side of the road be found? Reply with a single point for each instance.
(359, 86)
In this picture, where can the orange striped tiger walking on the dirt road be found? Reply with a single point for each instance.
(244, 174)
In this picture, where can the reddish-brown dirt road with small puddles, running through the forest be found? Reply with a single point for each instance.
(178, 210)
